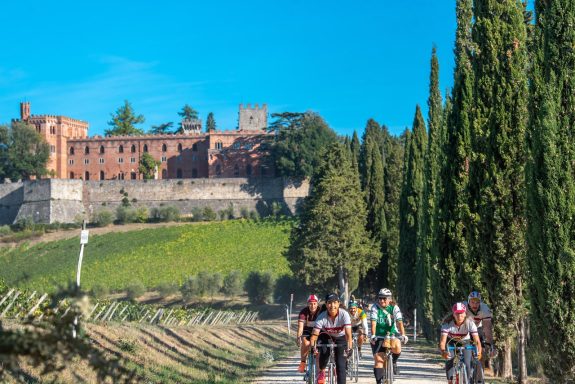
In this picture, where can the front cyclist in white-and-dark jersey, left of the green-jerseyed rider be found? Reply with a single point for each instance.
(336, 325)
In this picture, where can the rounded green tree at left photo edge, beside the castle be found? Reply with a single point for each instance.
(23, 152)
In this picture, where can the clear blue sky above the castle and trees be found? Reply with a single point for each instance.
(348, 61)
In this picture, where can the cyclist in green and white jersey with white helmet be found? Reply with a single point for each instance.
(386, 318)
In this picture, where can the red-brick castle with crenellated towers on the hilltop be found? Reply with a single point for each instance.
(216, 154)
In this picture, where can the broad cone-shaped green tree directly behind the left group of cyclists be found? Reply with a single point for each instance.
(331, 243)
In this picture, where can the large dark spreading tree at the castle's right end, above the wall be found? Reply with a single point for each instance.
(301, 139)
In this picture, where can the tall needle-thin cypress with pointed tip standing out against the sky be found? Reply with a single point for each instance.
(427, 224)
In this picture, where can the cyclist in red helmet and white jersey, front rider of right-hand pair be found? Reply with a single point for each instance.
(458, 328)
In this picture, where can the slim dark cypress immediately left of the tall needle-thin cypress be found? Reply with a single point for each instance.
(410, 213)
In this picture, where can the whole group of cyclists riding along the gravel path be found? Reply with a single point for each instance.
(333, 323)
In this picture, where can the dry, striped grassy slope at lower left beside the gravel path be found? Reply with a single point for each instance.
(216, 355)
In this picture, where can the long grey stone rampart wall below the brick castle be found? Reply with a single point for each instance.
(64, 201)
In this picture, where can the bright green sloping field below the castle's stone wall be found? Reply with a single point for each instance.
(151, 256)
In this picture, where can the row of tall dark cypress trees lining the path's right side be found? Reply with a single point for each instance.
(488, 195)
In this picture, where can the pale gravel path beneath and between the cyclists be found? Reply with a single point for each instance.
(413, 367)
